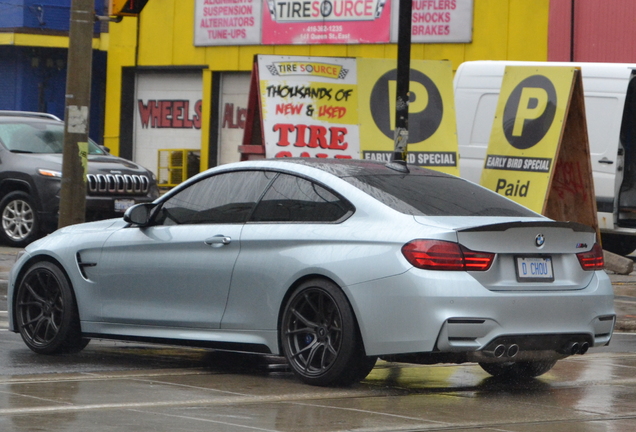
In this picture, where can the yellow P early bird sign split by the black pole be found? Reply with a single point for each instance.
(432, 126)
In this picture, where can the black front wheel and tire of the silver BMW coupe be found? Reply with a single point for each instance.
(46, 312)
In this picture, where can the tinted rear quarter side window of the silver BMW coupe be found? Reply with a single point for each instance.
(294, 199)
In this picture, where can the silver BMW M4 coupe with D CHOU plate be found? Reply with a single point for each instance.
(329, 263)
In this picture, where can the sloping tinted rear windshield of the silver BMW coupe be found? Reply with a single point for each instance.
(436, 195)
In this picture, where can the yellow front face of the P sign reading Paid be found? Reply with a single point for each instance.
(526, 133)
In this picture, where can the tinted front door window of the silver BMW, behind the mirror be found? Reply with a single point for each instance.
(223, 198)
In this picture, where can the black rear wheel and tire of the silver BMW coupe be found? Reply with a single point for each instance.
(320, 337)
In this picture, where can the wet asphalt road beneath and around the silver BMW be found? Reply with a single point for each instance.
(116, 386)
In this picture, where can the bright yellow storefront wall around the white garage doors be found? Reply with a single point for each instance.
(163, 35)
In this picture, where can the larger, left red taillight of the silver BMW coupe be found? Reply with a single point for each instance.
(444, 255)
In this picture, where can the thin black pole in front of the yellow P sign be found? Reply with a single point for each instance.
(398, 160)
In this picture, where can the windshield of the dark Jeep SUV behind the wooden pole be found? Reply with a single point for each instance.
(38, 137)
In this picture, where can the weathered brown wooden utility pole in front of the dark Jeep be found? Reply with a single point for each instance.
(76, 113)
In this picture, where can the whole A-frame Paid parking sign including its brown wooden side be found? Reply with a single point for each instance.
(538, 154)
